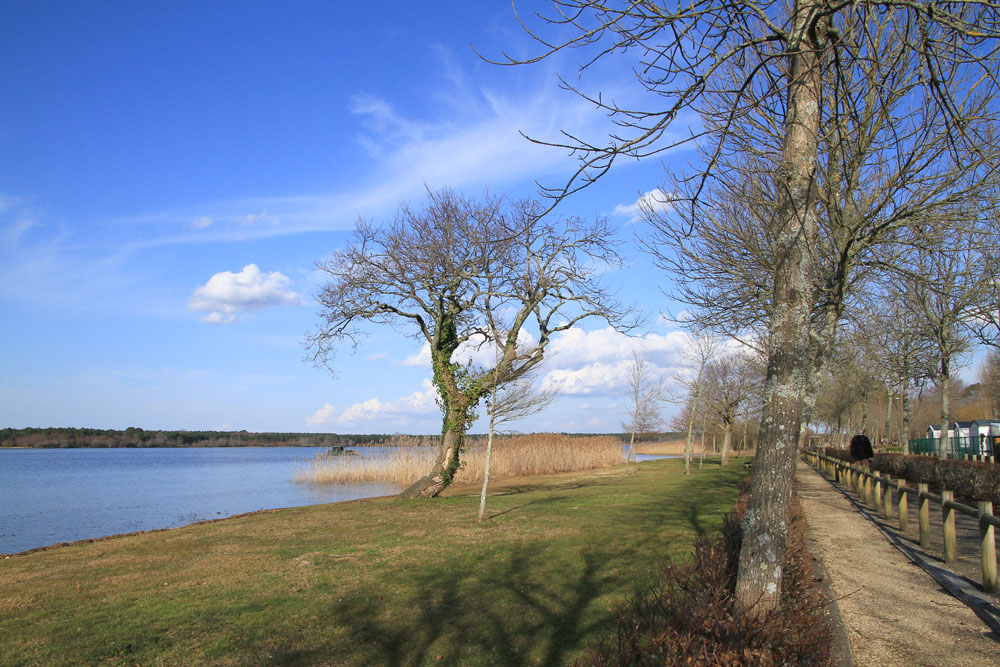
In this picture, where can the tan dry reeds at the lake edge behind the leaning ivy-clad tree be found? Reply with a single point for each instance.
(536, 454)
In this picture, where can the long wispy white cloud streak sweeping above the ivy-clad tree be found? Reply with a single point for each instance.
(473, 141)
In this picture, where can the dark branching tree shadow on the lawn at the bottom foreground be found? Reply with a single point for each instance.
(514, 614)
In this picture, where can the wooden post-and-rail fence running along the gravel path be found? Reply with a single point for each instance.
(875, 489)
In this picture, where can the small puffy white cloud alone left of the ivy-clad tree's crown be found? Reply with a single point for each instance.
(228, 295)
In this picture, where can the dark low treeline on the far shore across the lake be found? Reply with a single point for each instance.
(137, 437)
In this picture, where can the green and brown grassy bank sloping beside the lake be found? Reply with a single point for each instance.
(368, 582)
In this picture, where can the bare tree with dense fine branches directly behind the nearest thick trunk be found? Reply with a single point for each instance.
(886, 167)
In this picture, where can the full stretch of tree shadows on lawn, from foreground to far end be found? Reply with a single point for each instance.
(513, 603)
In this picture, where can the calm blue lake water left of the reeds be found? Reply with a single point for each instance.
(59, 495)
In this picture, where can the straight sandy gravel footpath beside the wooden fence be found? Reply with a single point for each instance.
(894, 612)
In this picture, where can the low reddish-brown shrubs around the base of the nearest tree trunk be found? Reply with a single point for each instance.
(689, 618)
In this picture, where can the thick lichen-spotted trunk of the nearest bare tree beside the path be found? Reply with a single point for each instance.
(765, 526)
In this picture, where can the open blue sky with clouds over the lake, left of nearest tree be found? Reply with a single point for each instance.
(171, 171)
